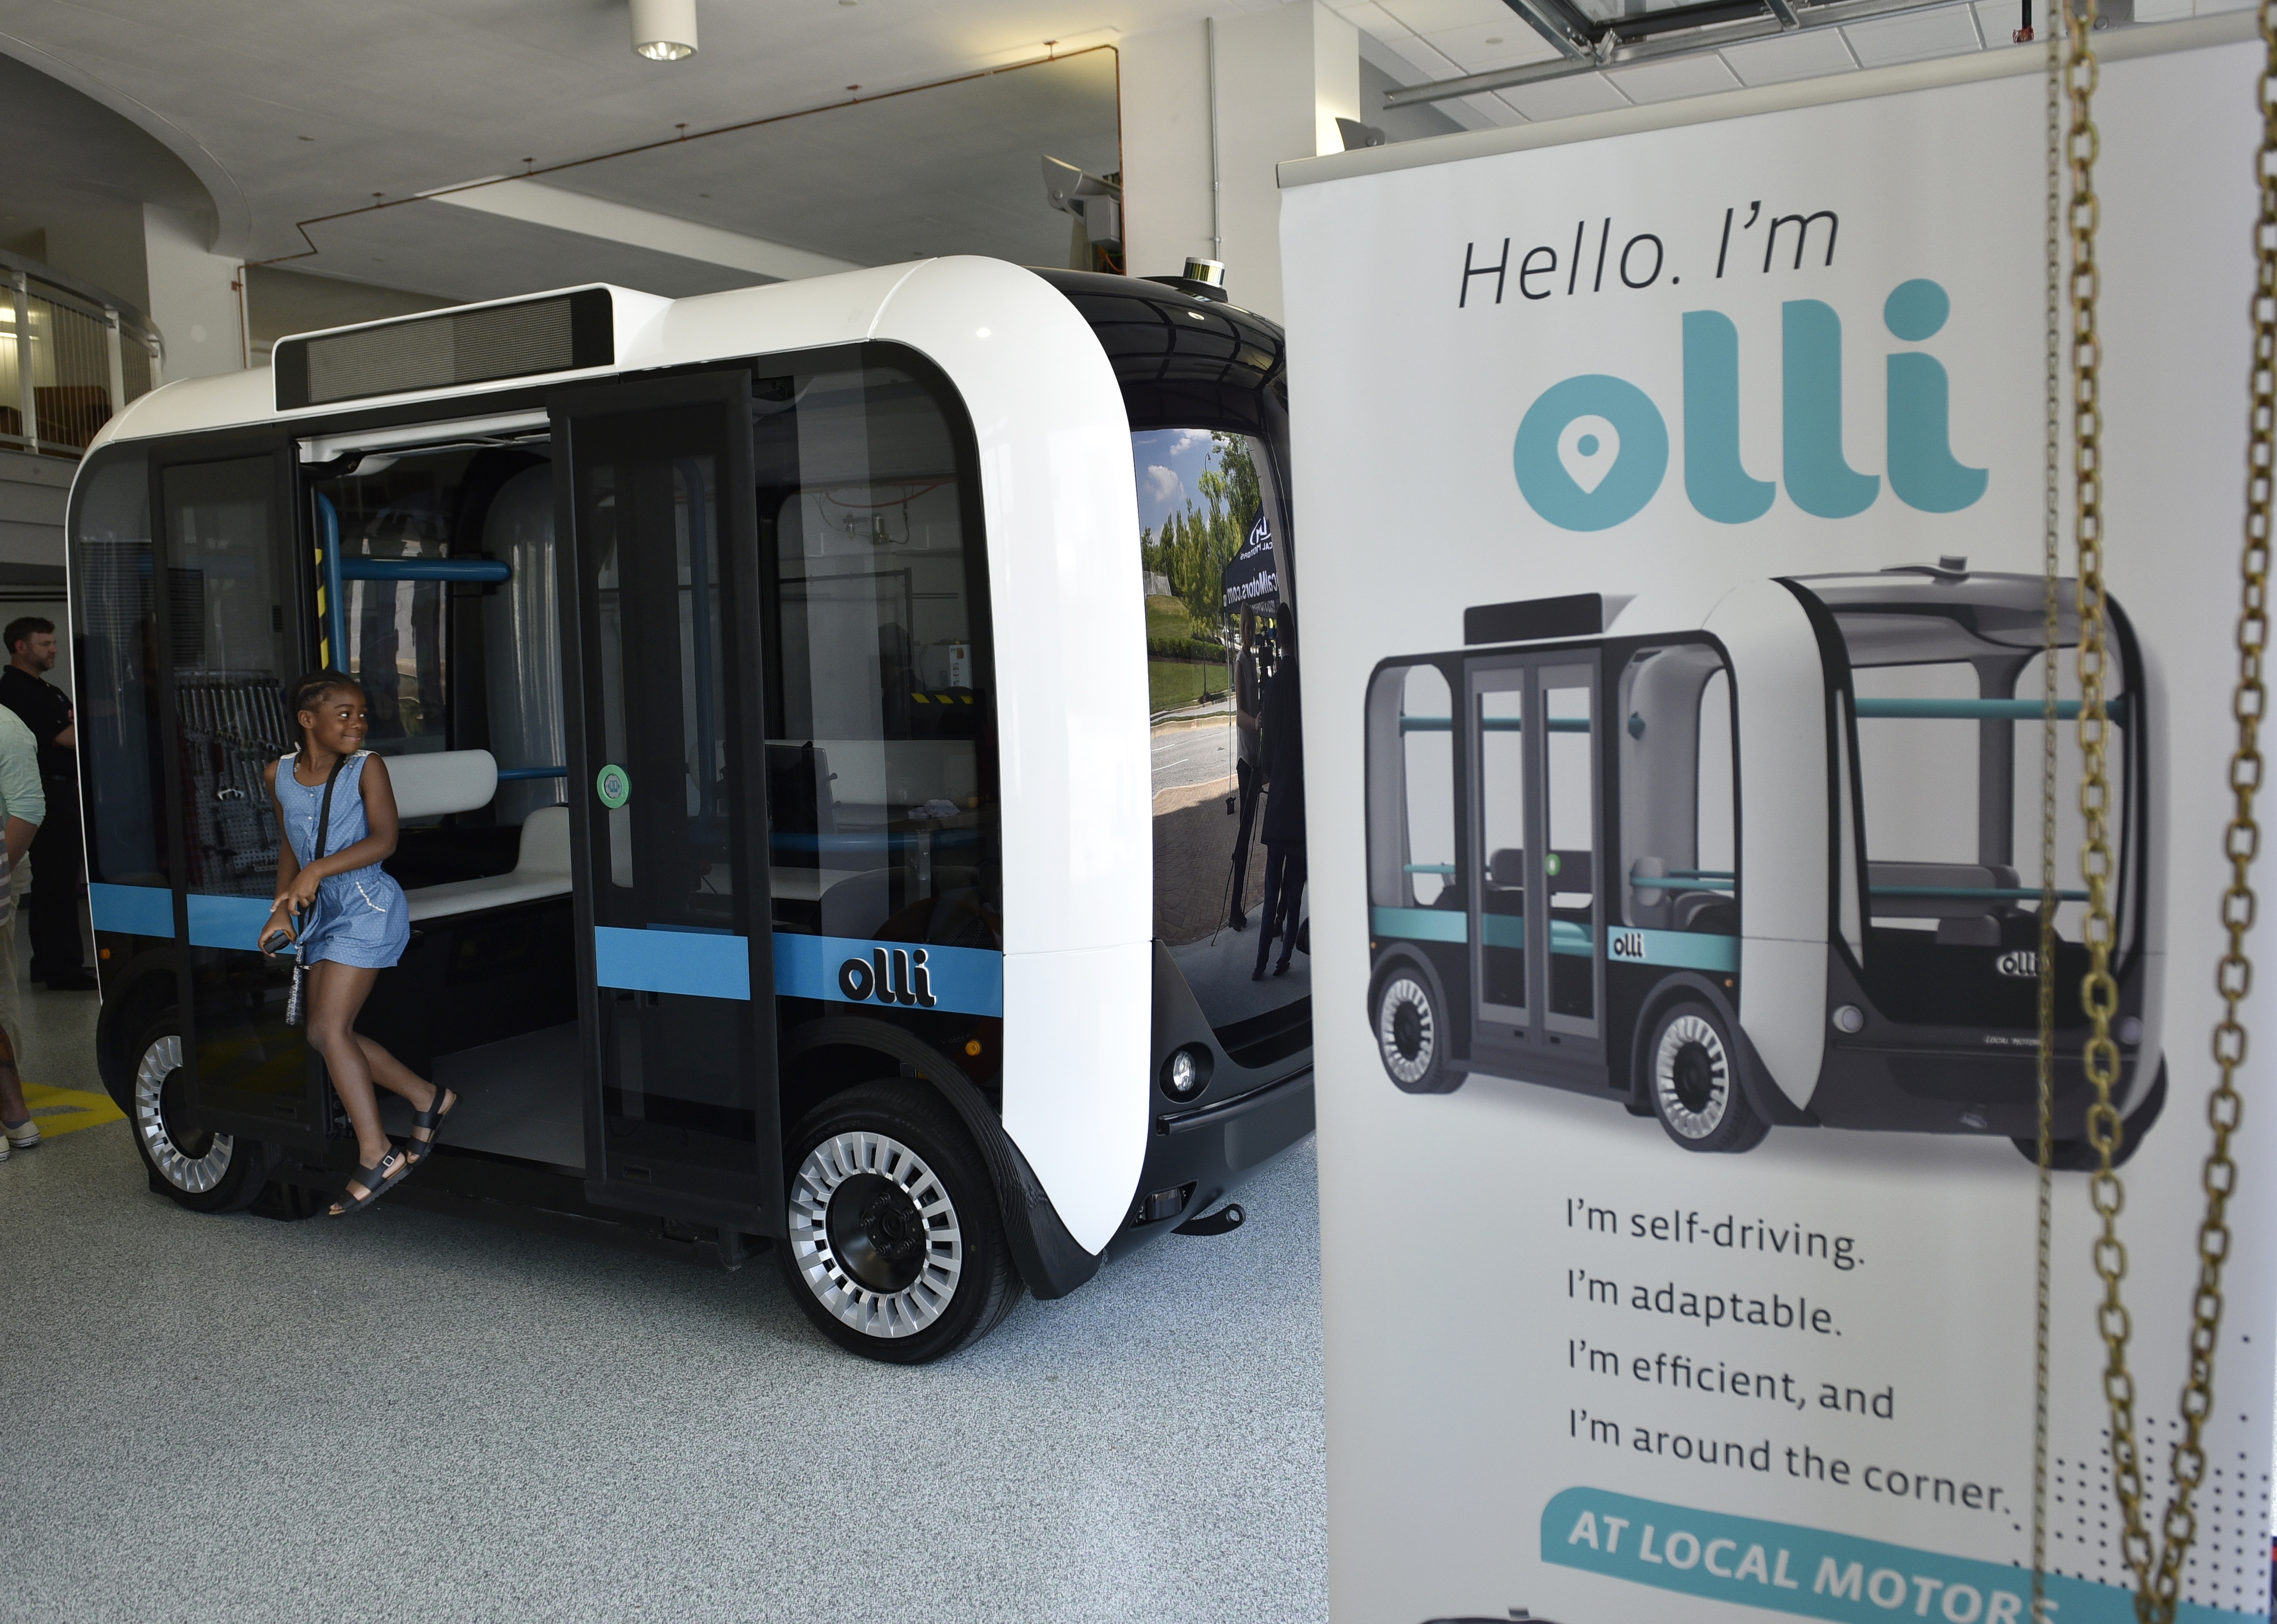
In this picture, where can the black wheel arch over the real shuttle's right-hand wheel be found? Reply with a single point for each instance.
(1051, 1261)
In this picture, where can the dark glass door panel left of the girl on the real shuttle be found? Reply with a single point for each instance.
(233, 632)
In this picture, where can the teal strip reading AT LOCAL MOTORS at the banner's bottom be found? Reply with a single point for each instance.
(1784, 1568)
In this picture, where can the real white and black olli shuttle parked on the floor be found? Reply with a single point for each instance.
(764, 684)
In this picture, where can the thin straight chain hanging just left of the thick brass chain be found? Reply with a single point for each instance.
(2050, 634)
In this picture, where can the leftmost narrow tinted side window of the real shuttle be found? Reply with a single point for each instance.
(117, 655)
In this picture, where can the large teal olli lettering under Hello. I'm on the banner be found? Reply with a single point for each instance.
(1593, 450)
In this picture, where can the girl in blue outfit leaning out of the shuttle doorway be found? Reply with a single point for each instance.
(347, 919)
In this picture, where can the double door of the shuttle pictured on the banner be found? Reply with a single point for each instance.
(1536, 930)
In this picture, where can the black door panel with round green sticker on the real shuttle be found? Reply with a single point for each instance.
(661, 671)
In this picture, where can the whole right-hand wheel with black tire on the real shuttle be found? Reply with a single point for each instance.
(891, 1240)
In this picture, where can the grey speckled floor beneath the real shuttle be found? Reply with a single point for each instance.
(454, 1420)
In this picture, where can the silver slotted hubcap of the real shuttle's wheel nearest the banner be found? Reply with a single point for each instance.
(876, 1236)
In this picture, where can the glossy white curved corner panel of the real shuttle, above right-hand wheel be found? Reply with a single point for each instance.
(1062, 514)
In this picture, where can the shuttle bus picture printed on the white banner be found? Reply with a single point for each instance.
(1754, 862)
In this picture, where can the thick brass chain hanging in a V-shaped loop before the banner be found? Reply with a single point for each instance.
(2157, 1593)
